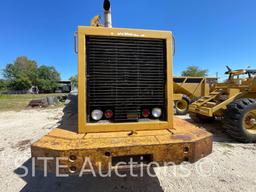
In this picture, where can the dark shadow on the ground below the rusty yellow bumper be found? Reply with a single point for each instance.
(87, 183)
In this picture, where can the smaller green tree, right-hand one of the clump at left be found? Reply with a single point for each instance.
(47, 78)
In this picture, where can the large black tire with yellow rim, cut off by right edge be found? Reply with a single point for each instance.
(236, 122)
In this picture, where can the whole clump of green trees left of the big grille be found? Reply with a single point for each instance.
(24, 73)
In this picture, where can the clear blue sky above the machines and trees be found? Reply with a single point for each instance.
(209, 33)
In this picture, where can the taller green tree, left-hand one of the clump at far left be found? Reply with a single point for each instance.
(21, 74)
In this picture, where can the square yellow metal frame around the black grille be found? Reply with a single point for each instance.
(85, 127)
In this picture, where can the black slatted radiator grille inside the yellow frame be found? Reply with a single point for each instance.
(125, 75)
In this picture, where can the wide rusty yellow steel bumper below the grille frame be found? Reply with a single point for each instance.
(185, 142)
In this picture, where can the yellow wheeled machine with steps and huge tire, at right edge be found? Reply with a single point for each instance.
(233, 102)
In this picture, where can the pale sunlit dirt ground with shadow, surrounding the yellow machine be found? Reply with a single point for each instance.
(231, 166)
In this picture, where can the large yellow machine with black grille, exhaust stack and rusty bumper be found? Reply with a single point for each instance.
(125, 104)
